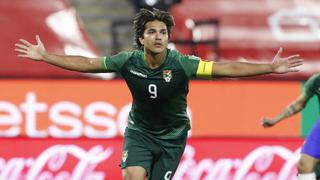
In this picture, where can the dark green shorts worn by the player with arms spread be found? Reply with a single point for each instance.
(159, 157)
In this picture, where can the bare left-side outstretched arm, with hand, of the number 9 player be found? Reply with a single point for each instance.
(38, 52)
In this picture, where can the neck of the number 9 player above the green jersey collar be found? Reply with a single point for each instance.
(154, 60)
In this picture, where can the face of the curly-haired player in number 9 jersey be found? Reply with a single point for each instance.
(155, 37)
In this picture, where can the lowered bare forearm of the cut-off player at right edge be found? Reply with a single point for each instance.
(295, 107)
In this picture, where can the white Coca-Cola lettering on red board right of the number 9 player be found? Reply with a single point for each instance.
(256, 165)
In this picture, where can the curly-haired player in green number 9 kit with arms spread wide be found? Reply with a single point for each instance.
(157, 78)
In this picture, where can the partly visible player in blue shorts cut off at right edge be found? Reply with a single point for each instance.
(310, 153)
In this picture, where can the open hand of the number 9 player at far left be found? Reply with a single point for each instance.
(33, 51)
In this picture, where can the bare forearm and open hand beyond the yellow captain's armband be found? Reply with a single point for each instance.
(241, 69)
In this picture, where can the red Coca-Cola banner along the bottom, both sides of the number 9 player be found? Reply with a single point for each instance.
(204, 158)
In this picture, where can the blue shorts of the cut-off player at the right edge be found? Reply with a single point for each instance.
(311, 145)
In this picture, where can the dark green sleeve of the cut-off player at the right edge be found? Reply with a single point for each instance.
(312, 87)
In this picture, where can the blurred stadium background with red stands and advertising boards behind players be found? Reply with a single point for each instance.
(58, 124)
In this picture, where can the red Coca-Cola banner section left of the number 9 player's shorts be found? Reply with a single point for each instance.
(31, 159)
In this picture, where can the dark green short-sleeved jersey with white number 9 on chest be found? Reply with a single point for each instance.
(159, 95)
